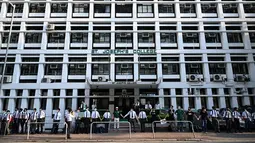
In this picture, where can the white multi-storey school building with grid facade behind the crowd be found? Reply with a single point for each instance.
(181, 53)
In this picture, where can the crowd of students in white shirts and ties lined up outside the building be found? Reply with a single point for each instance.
(18, 120)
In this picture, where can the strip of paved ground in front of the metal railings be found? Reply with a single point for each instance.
(136, 138)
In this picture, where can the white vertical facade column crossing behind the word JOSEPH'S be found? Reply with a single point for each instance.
(112, 56)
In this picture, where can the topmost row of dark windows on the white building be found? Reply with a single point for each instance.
(127, 8)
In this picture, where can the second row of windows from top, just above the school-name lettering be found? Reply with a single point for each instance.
(127, 38)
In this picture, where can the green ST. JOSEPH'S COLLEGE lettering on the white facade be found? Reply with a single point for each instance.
(119, 51)
